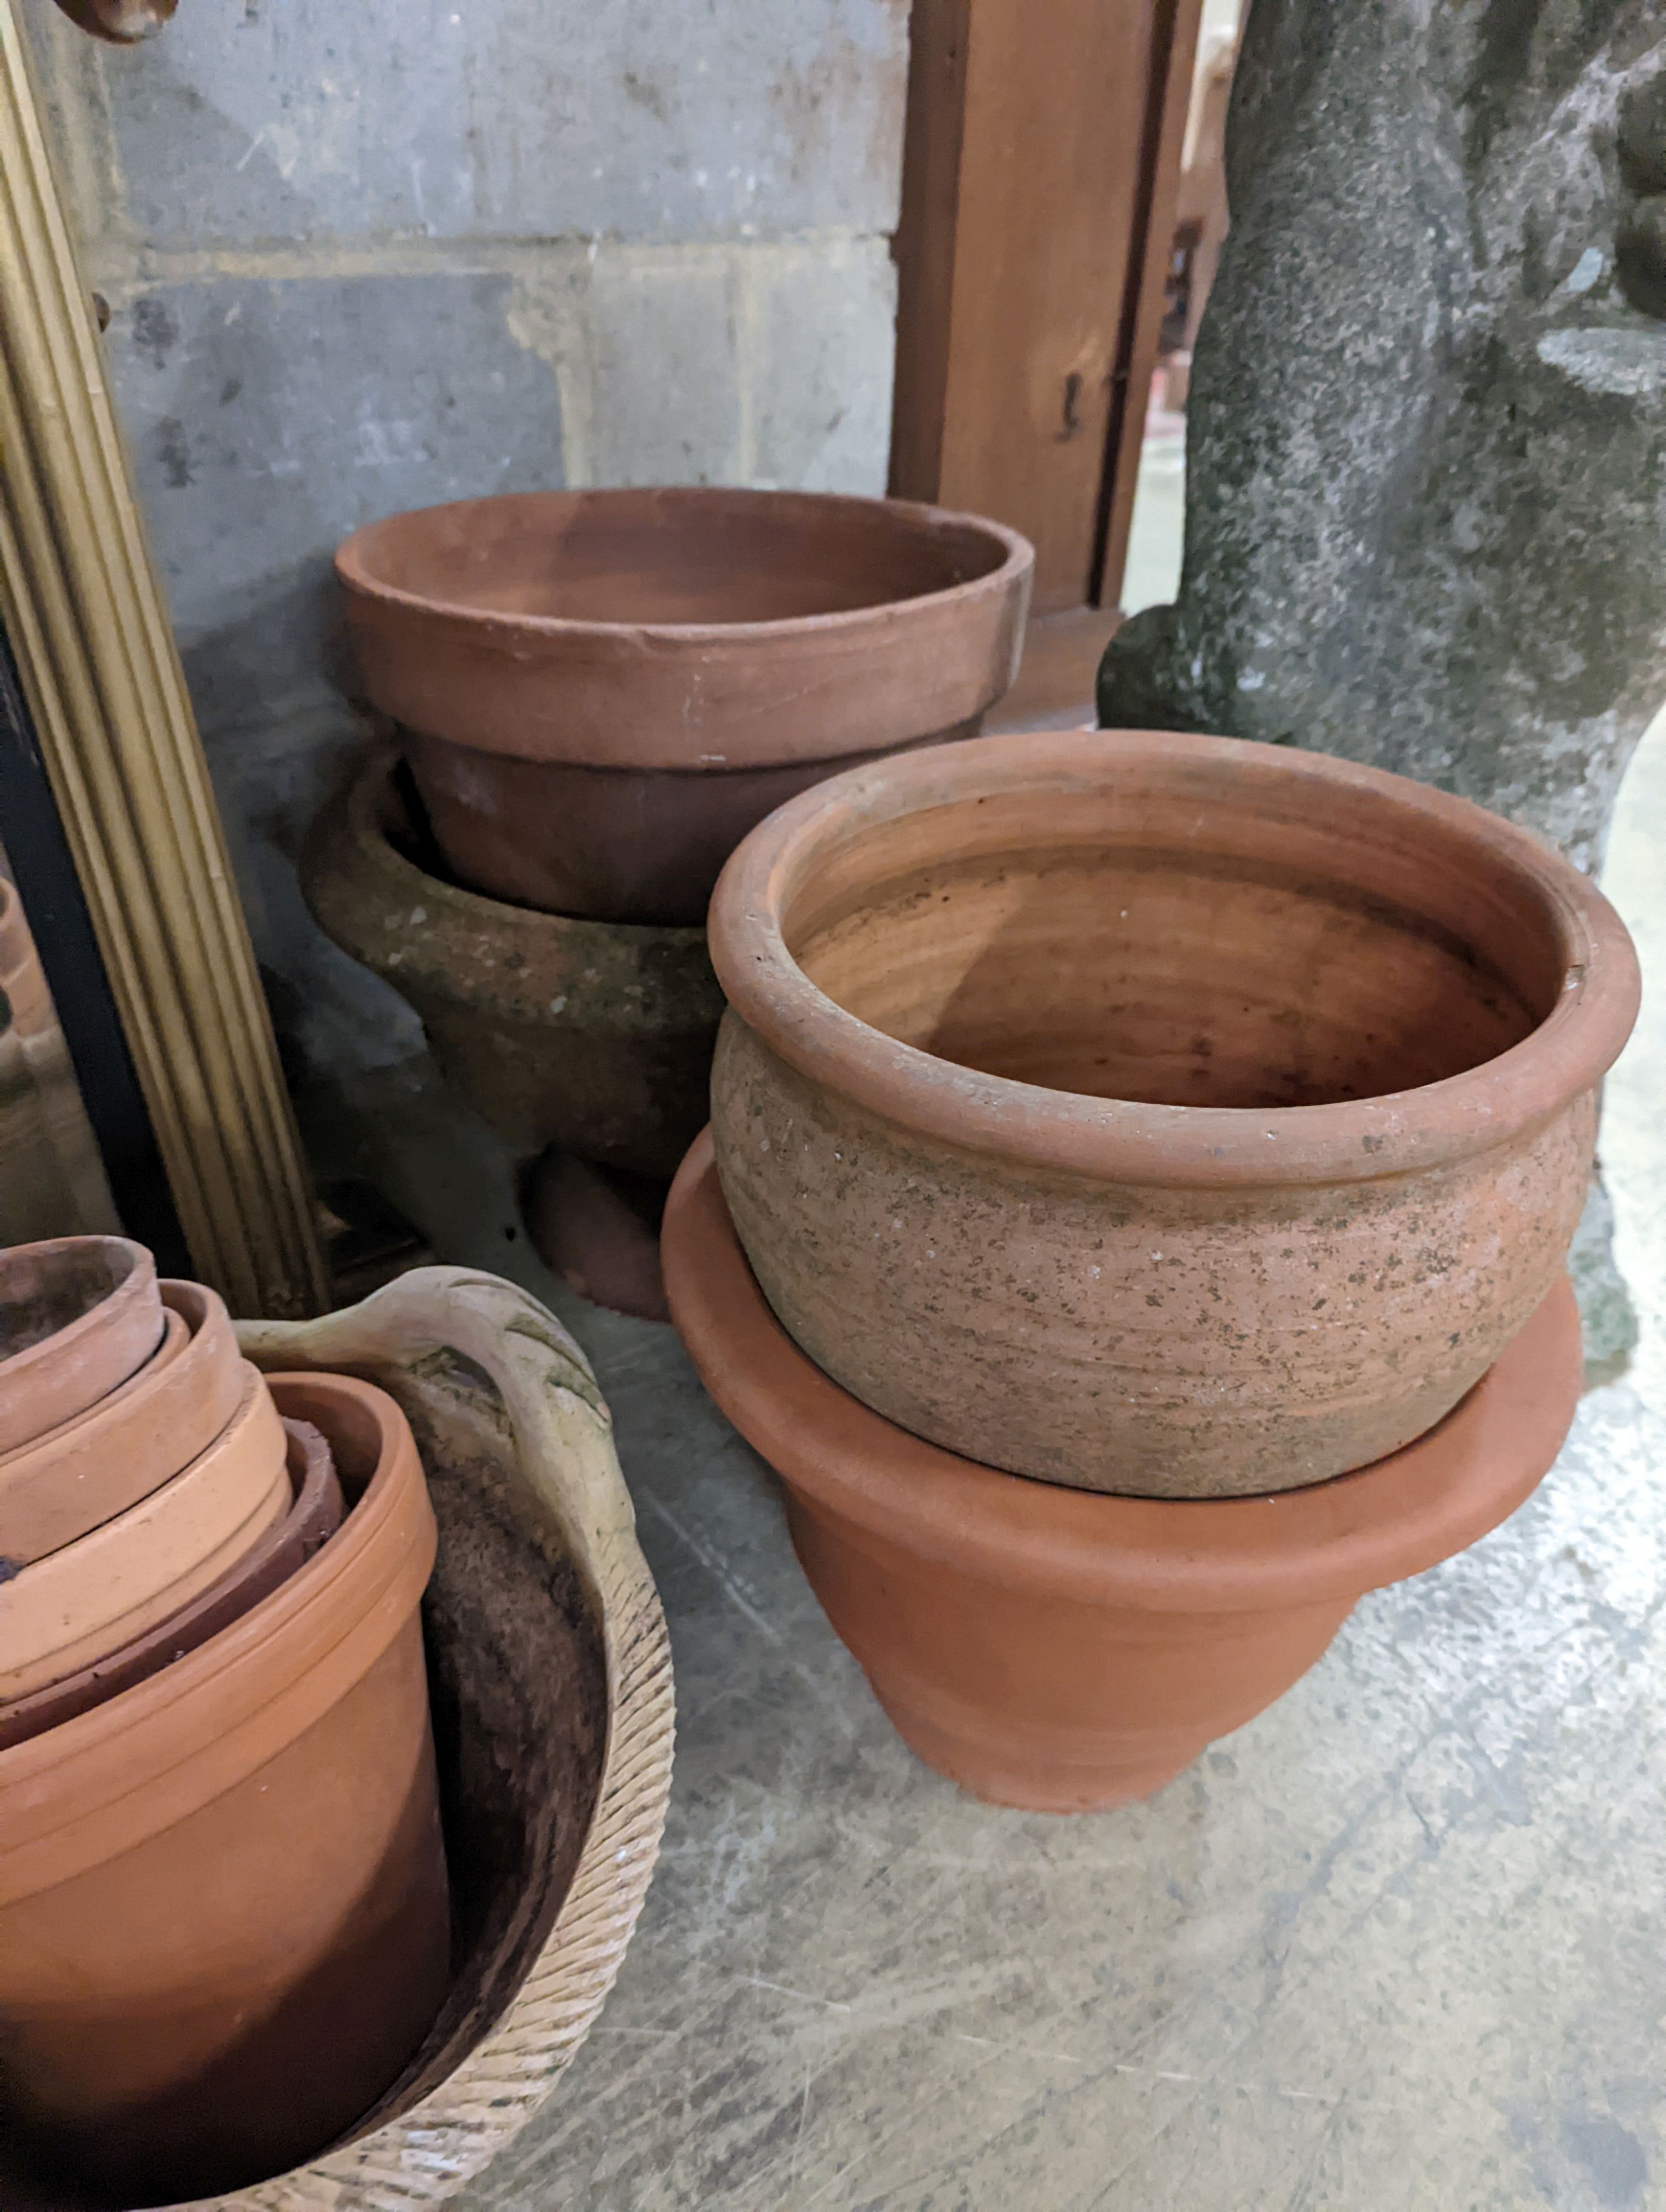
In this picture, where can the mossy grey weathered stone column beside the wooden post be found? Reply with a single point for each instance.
(1426, 512)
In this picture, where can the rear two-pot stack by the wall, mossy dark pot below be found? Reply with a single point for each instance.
(596, 696)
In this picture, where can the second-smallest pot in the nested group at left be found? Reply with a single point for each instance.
(127, 1446)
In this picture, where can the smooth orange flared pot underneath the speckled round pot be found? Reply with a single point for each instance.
(1065, 1651)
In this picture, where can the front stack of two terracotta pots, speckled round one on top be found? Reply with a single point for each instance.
(1134, 1220)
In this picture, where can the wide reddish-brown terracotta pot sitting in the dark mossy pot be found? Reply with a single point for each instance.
(603, 691)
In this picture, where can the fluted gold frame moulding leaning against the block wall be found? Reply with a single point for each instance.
(101, 671)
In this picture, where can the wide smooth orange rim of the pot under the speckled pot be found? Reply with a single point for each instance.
(1304, 1547)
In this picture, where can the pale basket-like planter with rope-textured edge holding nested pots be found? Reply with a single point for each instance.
(552, 1704)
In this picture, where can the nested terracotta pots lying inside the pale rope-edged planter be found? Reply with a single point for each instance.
(222, 1884)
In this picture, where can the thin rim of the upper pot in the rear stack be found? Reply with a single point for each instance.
(1019, 561)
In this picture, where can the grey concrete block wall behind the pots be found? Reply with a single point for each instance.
(371, 258)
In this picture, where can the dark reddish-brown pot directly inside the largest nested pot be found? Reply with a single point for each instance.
(311, 1521)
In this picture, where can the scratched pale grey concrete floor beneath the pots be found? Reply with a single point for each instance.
(1395, 1948)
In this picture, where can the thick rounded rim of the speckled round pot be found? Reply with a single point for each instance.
(1200, 1147)
